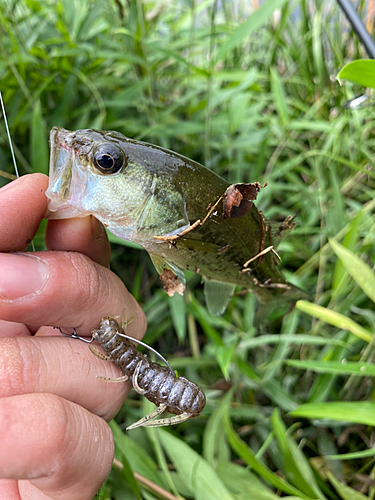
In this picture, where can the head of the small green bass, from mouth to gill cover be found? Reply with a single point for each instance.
(123, 183)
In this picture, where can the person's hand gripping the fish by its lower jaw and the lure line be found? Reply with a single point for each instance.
(54, 439)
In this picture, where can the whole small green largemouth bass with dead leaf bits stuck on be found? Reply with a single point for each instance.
(183, 214)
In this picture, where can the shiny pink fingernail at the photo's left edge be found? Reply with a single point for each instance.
(22, 275)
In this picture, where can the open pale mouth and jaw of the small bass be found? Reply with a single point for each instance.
(67, 177)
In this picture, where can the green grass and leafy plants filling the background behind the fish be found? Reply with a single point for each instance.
(250, 92)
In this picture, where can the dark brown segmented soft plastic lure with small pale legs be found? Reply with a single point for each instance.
(157, 383)
